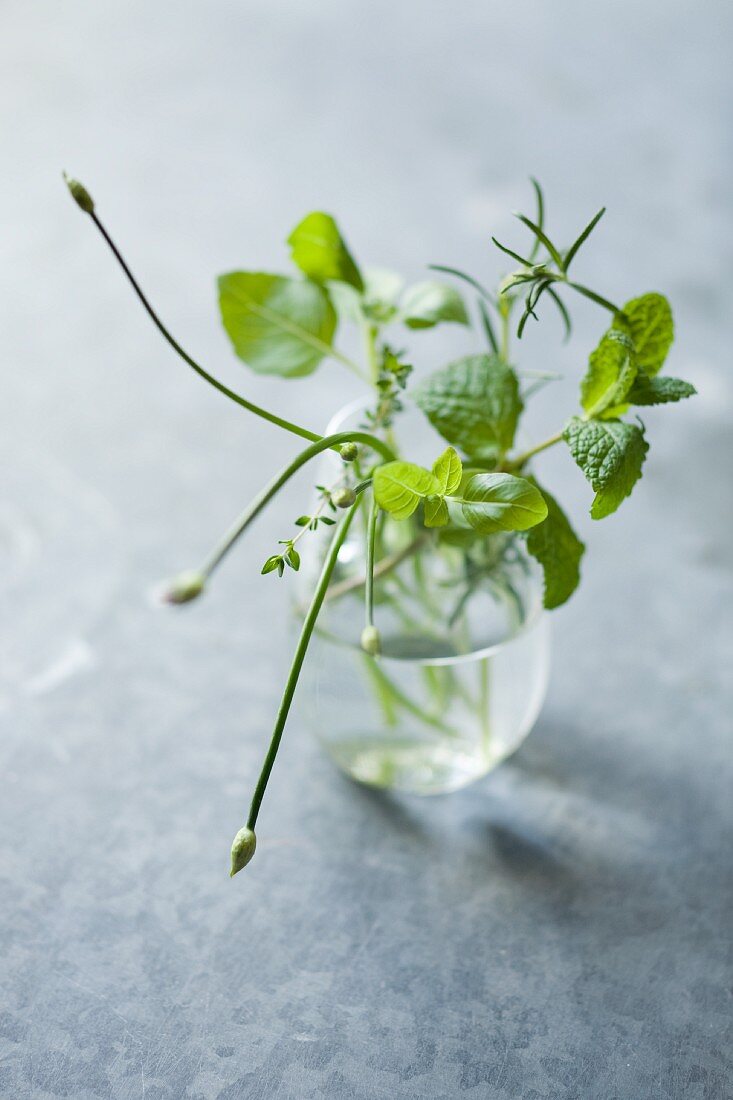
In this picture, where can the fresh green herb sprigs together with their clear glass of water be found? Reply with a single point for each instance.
(429, 580)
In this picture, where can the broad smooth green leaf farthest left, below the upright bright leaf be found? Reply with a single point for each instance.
(277, 325)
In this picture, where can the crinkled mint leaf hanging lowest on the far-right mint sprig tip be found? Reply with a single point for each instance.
(611, 455)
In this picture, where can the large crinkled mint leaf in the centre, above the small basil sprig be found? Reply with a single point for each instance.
(475, 404)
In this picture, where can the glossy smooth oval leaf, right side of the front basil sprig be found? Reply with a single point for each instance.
(502, 503)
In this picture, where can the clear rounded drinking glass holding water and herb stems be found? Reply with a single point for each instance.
(465, 661)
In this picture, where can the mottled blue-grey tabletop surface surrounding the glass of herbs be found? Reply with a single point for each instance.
(563, 929)
